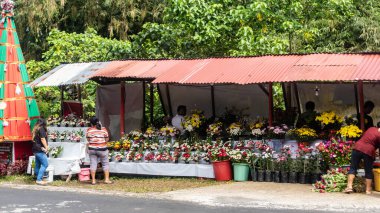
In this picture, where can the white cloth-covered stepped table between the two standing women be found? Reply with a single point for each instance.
(69, 160)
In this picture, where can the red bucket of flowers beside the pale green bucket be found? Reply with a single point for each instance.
(221, 161)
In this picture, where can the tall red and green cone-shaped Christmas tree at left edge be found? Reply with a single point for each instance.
(18, 106)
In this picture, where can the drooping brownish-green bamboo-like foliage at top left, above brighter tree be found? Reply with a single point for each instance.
(110, 18)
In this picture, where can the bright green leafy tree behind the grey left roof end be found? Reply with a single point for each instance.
(69, 48)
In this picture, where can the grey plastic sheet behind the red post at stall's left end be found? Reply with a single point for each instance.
(108, 99)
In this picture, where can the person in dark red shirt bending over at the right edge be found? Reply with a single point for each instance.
(364, 149)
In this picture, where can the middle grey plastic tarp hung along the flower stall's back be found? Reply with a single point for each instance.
(248, 99)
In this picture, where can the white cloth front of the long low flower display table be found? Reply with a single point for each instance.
(163, 169)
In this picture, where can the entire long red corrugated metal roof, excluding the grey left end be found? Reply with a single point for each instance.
(250, 70)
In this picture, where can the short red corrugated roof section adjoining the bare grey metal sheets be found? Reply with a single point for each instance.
(148, 69)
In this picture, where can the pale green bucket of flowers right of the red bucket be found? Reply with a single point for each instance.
(240, 161)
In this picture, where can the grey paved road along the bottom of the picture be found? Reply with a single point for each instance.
(23, 200)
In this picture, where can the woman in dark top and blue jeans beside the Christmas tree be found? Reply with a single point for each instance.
(40, 149)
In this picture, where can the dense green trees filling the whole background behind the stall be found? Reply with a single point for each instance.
(189, 28)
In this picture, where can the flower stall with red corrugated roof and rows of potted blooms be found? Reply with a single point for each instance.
(232, 116)
